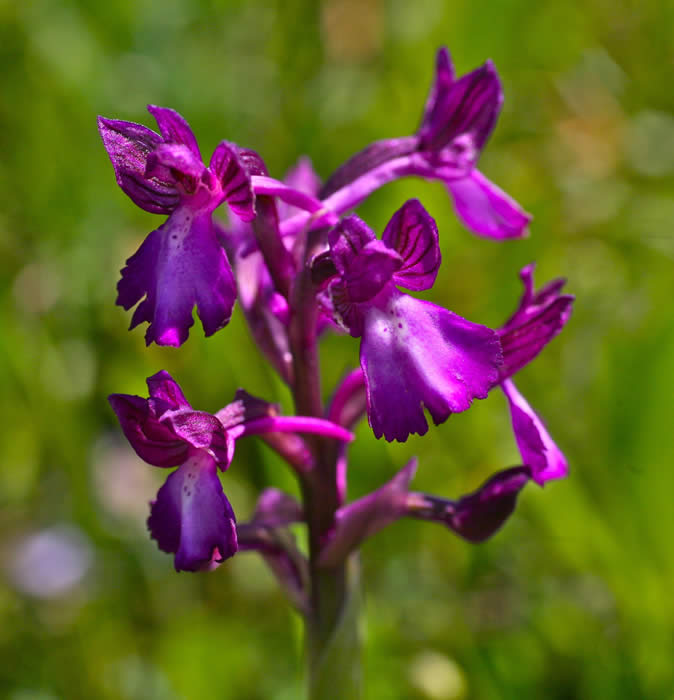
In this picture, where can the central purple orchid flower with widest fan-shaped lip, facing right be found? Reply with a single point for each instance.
(413, 354)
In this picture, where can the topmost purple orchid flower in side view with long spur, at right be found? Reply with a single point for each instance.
(458, 119)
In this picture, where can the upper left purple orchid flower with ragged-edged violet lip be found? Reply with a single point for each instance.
(181, 264)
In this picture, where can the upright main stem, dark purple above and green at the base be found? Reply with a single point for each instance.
(332, 640)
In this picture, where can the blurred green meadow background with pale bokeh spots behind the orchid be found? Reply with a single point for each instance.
(573, 599)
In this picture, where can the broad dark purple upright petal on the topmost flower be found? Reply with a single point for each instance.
(467, 110)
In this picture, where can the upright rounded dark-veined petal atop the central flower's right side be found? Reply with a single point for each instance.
(413, 234)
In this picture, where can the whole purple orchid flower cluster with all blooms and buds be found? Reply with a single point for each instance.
(300, 264)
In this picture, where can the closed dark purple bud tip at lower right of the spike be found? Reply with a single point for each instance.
(479, 515)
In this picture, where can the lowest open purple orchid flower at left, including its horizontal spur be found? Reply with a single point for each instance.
(191, 516)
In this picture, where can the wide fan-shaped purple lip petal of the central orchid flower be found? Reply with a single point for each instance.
(415, 354)
